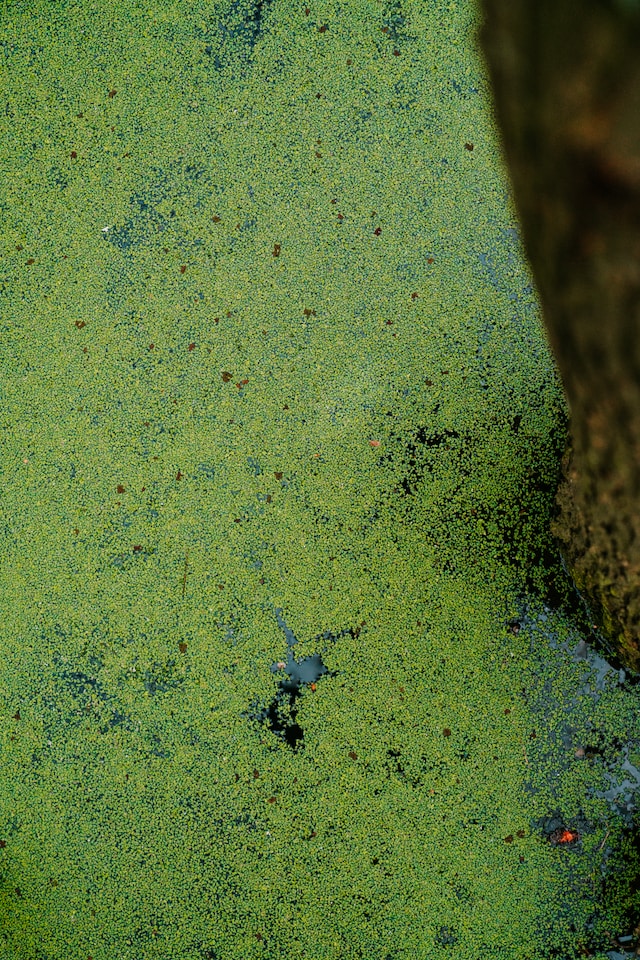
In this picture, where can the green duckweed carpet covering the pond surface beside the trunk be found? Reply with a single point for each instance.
(280, 435)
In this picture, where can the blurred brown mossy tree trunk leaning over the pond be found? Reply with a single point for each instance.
(566, 80)
